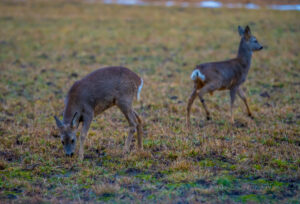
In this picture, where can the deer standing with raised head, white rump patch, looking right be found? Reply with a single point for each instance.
(224, 75)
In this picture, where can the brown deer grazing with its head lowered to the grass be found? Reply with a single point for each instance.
(92, 95)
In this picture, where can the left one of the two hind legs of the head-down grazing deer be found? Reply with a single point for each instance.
(126, 109)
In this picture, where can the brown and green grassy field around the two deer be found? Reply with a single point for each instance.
(47, 46)
